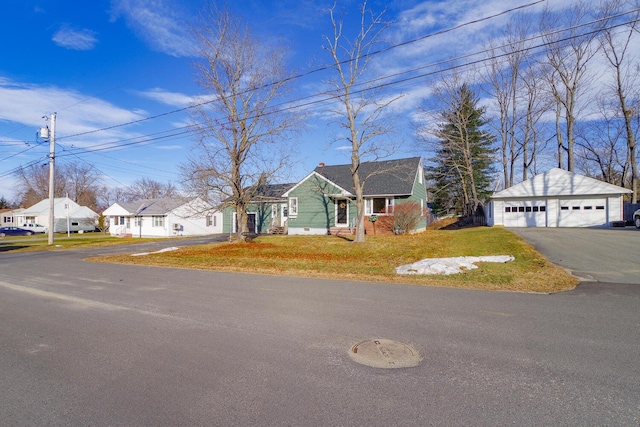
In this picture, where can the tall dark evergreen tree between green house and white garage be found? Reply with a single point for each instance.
(463, 160)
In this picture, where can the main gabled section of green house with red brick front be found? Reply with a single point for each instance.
(324, 201)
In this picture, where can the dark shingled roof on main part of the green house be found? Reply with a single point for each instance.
(384, 178)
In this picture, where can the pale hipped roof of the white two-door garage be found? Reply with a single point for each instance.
(558, 182)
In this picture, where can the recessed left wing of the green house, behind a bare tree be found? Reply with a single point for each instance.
(267, 211)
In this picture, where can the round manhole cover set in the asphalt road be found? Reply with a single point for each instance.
(382, 353)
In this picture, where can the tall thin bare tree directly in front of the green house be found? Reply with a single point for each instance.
(360, 106)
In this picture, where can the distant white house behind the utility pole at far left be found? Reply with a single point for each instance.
(65, 212)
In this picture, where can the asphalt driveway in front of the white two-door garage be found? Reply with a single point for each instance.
(610, 255)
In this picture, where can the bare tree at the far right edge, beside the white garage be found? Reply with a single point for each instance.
(615, 45)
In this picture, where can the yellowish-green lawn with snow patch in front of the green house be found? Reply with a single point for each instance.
(338, 258)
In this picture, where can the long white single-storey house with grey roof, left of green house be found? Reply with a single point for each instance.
(163, 218)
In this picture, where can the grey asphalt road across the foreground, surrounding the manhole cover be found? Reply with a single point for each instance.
(97, 344)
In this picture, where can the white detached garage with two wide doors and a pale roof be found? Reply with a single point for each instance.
(557, 198)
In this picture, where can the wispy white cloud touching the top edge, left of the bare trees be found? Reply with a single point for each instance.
(156, 22)
